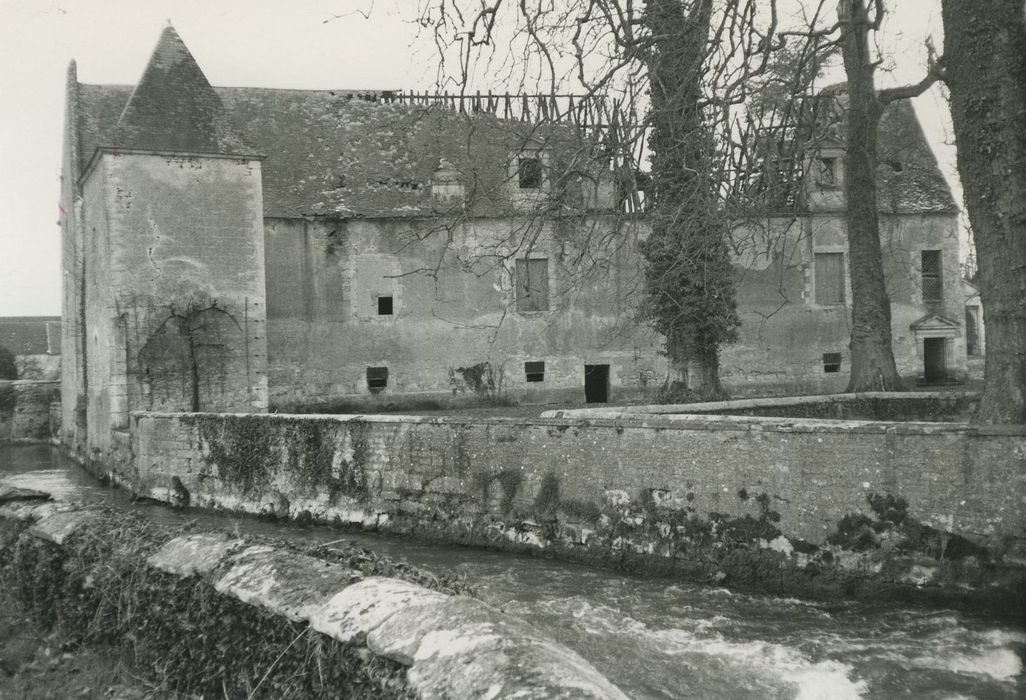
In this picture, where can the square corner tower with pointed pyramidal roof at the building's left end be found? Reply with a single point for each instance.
(164, 258)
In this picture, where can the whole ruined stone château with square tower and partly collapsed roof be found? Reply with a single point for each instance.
(236, 249)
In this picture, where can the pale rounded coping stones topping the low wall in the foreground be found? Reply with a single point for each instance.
(455, 647)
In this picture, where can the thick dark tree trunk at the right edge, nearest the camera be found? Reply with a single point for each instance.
(985, 71)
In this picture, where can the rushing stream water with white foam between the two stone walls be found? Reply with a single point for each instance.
(657, 639)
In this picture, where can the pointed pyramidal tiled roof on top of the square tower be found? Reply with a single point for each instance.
(174, 108)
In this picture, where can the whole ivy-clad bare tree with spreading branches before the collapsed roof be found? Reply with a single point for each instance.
(683, 77)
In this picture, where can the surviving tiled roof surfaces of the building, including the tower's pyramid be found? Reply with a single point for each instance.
(336, 153)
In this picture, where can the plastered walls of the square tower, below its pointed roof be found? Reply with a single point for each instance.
(164, 231)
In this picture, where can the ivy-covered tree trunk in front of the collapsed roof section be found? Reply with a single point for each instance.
(690, 281)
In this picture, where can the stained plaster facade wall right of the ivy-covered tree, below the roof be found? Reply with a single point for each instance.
(784, 332)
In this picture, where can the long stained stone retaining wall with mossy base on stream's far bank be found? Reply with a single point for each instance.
(796, 507)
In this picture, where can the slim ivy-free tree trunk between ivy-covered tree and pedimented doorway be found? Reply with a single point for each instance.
(873, 359)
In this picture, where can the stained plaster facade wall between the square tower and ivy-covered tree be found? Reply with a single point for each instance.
(454, 307)
